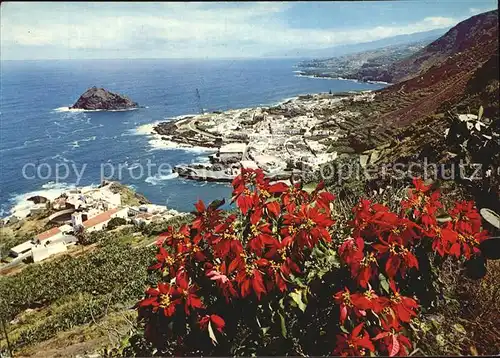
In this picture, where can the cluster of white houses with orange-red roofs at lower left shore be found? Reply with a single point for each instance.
(88, 209)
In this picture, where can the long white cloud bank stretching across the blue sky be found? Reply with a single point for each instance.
(249, 29)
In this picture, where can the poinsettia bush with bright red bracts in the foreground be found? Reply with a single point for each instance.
(278, 276)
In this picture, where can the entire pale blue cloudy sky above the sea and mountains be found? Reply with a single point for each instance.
(103, 30)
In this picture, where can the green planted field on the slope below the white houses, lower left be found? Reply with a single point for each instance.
(83, 287)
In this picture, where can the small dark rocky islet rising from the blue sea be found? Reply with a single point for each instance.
(100, 99)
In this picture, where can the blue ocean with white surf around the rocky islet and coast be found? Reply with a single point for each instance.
(37, 132)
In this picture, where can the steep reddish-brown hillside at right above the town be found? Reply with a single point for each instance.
(467, 78)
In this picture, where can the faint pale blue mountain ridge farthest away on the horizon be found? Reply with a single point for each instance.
(341, 50)
